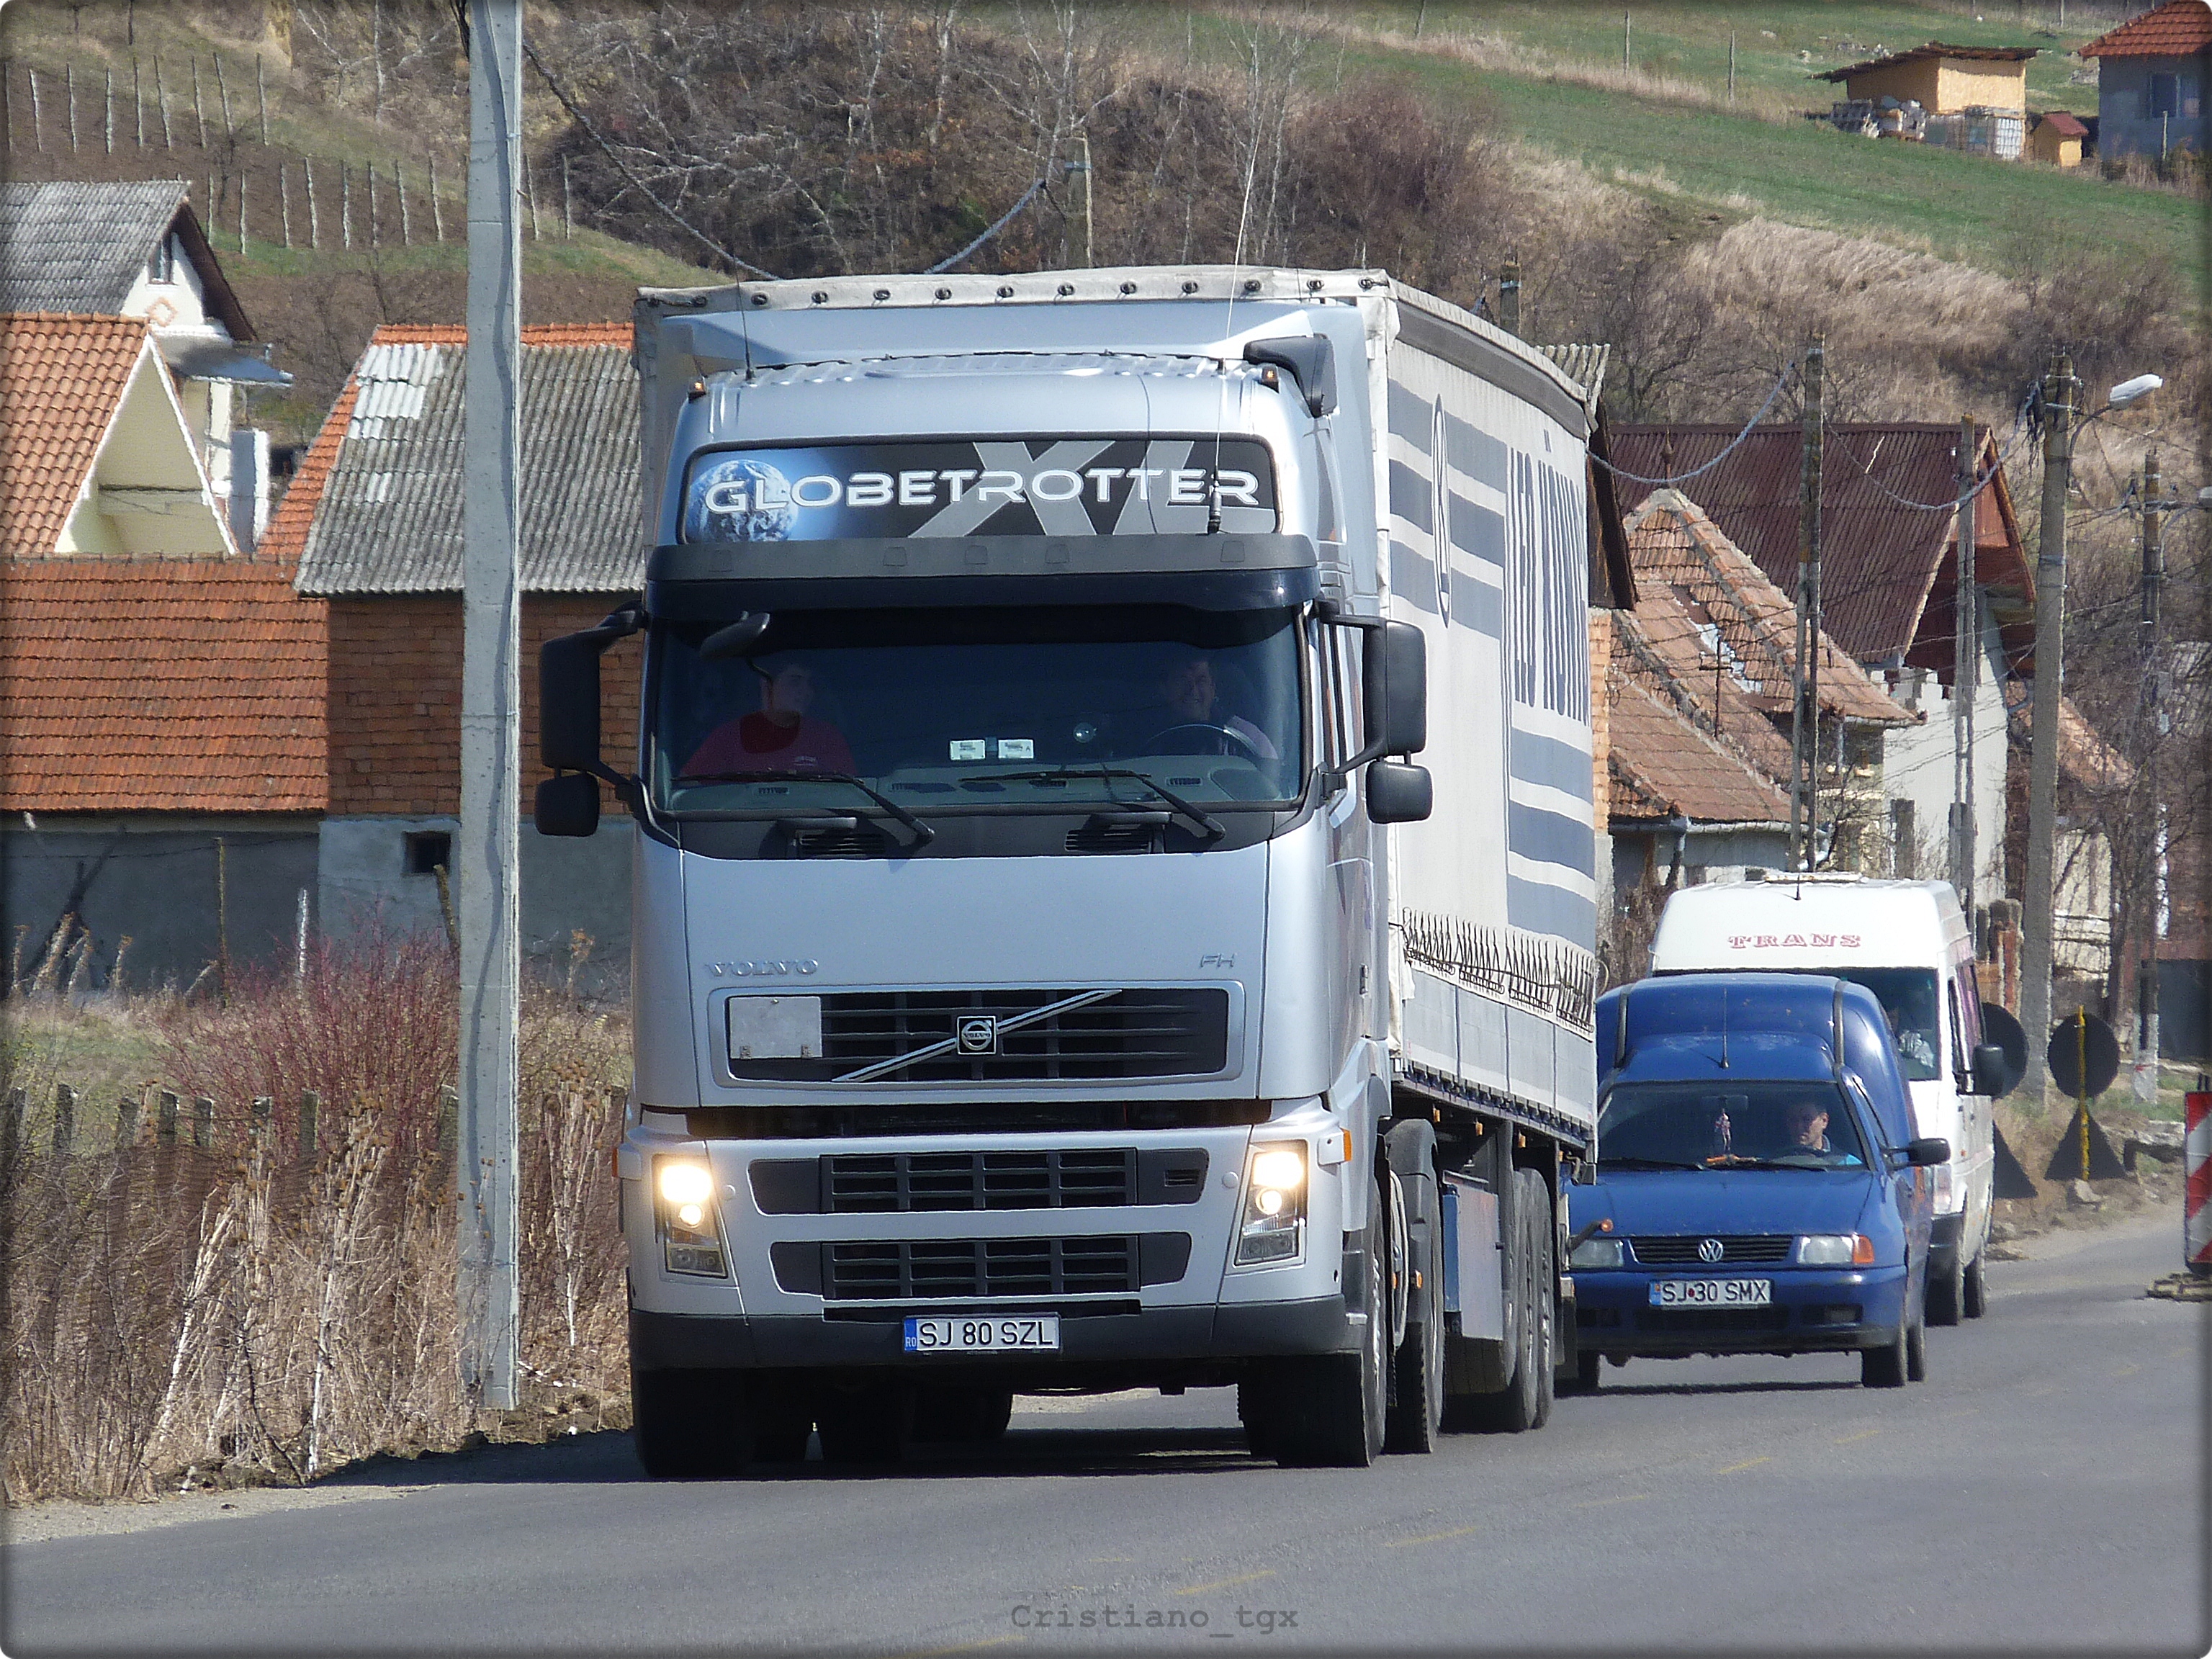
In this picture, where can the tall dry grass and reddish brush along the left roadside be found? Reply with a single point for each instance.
(280, 1304)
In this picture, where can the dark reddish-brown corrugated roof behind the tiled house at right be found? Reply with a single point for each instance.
(1884, 556)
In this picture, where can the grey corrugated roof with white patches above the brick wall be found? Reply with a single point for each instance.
(390, 510)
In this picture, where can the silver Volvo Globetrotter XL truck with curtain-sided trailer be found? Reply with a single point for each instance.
(1052, 970)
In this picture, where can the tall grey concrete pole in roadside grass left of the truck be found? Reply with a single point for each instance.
(490, 711)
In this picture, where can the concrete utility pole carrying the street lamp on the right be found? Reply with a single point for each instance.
(2038, 901)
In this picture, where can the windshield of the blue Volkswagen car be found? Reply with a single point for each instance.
(1698, 1127)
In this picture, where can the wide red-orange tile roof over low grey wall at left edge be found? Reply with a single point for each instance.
(160, 687)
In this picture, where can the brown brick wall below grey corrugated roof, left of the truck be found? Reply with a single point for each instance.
(395, 698)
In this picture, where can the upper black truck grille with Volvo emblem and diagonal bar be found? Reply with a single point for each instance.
(1008, 1036)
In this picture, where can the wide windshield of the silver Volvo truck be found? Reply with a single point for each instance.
(979, 709)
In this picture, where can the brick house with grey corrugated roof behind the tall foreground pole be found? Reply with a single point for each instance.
(375, 528)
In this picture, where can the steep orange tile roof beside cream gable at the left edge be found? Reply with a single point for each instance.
(61, 382)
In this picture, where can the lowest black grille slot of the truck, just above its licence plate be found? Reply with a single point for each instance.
(921, 1271)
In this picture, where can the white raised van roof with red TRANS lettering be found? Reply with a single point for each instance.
(1808, 924)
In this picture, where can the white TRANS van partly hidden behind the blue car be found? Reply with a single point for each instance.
(1908, 943)
